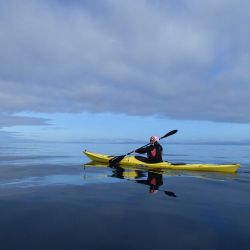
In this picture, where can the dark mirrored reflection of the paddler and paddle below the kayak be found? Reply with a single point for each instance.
(154, 180)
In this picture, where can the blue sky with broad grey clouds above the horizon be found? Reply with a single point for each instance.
(116, 71)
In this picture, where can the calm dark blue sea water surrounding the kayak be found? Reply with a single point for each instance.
(49, 200)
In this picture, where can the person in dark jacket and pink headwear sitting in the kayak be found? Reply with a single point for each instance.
(154, 150)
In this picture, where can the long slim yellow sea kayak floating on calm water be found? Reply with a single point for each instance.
(142, 161)
